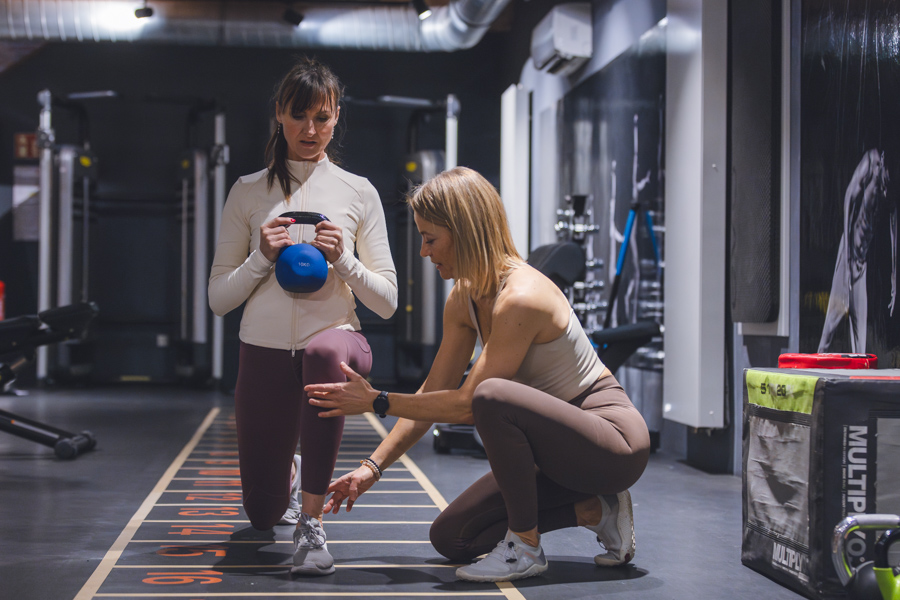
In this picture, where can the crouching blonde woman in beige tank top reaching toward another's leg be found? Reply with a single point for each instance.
(563, 440)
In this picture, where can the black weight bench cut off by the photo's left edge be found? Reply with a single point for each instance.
(19, 337)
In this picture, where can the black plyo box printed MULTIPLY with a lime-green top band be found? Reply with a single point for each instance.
(818, 445)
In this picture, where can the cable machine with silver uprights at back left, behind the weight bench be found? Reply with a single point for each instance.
(70, 208)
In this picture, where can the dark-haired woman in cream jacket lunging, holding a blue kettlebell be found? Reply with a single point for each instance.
(289, 340)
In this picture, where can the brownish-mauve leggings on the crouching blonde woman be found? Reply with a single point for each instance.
(545, 455)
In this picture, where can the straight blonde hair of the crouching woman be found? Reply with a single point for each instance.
(470, 207)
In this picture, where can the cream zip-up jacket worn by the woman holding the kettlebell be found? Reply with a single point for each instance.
(274, 318)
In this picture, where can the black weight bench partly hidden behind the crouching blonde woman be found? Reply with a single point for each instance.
(564, 264)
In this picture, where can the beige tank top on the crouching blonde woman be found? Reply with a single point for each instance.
(563, 367)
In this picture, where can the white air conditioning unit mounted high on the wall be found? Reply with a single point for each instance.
(562, 42)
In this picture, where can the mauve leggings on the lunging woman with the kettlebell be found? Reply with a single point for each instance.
(272, 411)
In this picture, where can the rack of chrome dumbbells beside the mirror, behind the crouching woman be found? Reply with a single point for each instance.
(575, 224)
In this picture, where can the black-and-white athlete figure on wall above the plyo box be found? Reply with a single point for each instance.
(864, 201)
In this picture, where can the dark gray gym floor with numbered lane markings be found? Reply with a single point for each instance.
(153, 511)
